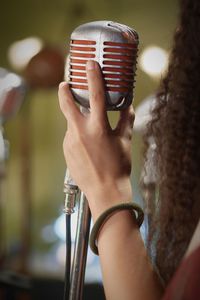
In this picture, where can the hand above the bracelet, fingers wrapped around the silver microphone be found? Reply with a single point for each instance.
(98, 157)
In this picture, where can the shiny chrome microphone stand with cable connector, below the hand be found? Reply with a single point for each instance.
(72, 196)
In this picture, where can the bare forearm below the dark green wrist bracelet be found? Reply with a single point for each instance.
(126, 268)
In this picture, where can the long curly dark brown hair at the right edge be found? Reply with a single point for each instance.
(175, 128)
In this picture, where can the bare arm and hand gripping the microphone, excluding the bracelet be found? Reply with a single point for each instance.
(99, 160)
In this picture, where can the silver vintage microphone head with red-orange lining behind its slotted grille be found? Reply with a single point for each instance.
(114, 46)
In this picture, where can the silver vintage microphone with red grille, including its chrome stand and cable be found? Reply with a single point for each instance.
(114, 46)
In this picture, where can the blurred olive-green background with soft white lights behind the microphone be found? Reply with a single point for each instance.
(34, 44)
